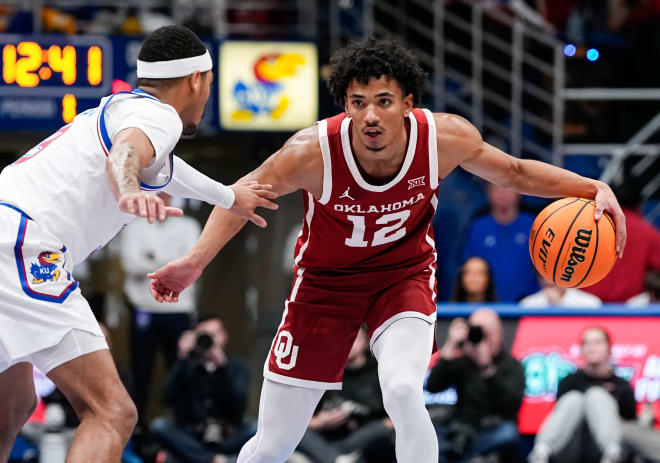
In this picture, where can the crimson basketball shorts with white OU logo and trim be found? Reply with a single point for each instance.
(323, 316)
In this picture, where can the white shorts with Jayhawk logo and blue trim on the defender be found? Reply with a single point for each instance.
(40, 302)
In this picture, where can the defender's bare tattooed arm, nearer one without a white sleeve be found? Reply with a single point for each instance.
(132, 151)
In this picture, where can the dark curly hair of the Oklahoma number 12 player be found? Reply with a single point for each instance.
(369, 58)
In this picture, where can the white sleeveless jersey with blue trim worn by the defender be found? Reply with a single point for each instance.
(62, 182)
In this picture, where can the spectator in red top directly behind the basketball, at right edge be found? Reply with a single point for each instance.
(641, 255)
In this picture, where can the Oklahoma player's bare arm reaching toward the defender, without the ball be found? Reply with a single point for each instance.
(298, 165)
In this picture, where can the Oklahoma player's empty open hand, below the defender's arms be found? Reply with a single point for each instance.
(167, 282)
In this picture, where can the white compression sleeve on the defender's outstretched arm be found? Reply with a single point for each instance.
(189, 183)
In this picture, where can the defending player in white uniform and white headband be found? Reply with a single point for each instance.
(69, 196)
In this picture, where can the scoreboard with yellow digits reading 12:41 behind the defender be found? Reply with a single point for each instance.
(47, 79)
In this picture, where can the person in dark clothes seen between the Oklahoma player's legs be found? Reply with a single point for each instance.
(352, 421)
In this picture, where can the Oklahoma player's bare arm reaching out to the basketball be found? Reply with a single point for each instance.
(460, 143)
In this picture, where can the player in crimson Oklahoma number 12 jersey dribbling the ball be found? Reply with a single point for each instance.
(366, 253)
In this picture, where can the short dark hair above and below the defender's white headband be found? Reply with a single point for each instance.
(165, 44)
